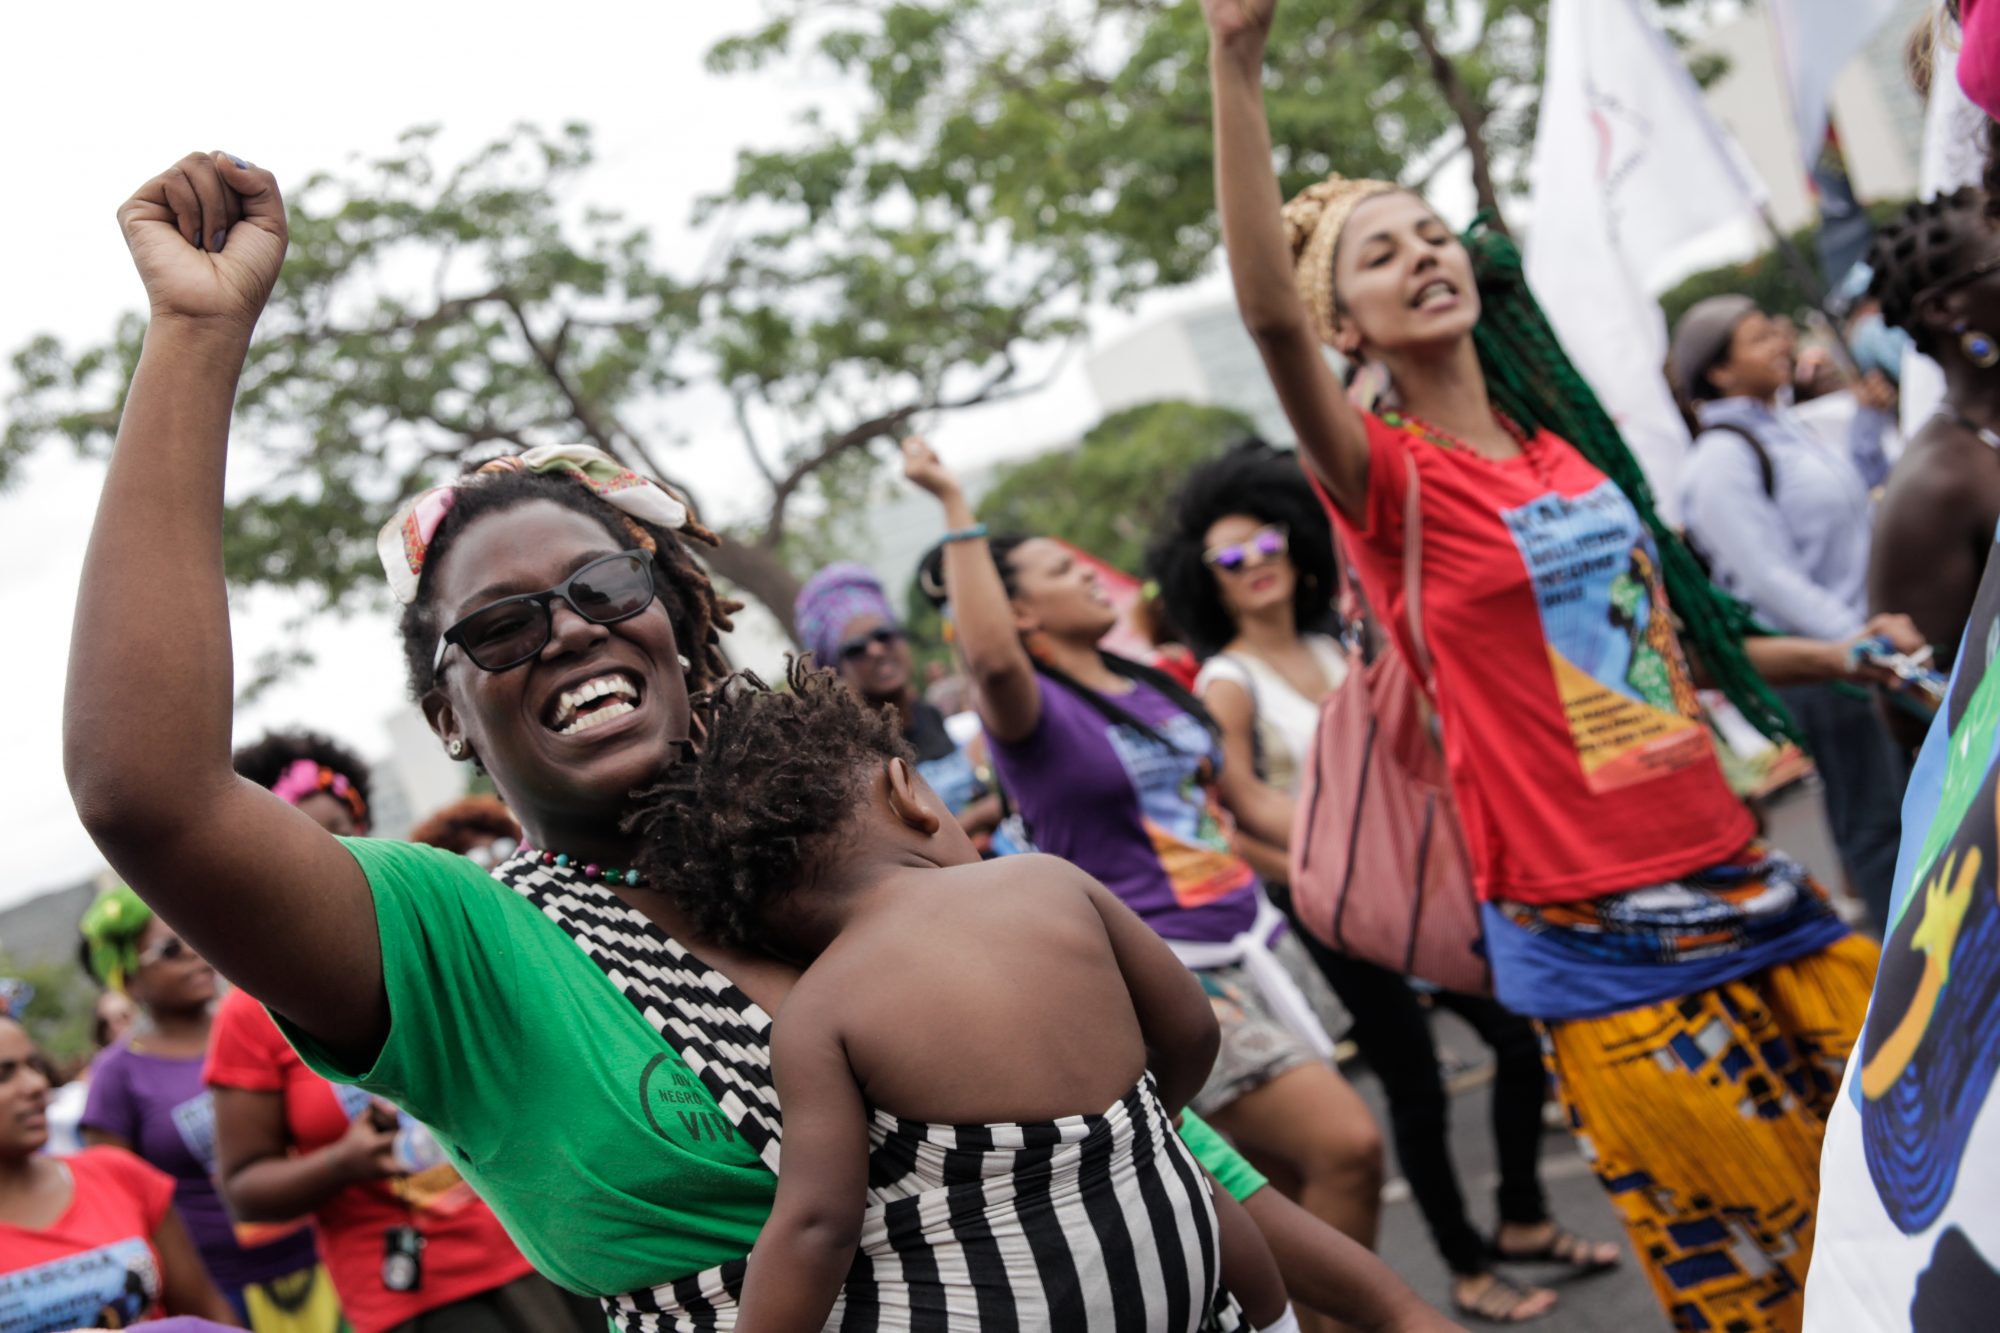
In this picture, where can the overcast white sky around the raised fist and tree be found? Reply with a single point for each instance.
(101, 97)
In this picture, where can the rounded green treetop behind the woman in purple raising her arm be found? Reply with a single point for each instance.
(1111, 491)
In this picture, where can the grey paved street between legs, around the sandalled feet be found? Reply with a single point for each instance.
(1615, 1302)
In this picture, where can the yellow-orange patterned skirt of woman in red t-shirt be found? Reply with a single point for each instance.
(1703, 1120)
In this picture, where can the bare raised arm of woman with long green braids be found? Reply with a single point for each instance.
(1329, 429)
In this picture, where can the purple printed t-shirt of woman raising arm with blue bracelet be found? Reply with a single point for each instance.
(1131, 812)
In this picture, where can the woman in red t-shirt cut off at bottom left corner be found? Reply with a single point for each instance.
(89, 1240)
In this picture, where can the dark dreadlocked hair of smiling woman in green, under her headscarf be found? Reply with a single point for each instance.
(693, 605)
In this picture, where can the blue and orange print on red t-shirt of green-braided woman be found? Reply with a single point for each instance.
(1623, 680)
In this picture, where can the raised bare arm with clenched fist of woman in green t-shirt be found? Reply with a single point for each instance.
(255, 886)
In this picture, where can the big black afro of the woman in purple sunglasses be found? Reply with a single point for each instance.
(1267, 485)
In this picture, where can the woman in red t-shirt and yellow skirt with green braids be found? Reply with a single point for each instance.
(1697, 990)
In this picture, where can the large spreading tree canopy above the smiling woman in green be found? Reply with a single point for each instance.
(1005, 167)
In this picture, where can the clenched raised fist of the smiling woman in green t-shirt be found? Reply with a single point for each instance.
(209, 239)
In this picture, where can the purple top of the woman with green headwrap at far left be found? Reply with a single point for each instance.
(165, 1112)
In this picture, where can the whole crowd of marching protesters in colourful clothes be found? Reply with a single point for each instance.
(1037, 964)
